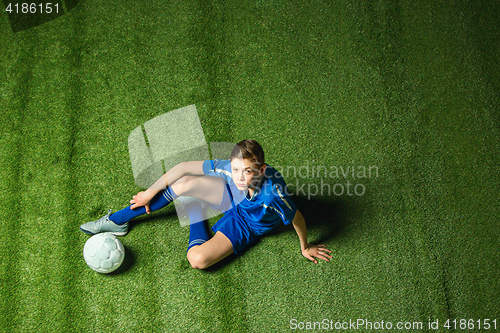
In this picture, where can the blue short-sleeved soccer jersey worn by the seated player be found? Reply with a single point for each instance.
(269, 205)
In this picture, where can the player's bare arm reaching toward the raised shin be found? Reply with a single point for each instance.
(144, 197)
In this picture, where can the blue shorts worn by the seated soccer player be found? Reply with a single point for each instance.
(236, 230)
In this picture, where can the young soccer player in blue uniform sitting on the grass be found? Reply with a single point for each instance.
(251, 194)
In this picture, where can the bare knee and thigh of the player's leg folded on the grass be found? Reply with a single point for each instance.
(210, 252)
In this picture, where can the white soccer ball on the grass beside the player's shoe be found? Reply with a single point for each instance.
(103, 252)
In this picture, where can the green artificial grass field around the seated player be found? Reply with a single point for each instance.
(408, 88)
